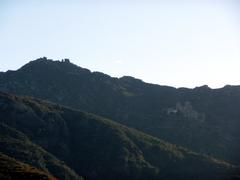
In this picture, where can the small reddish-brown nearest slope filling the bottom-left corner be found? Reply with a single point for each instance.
(13, 169)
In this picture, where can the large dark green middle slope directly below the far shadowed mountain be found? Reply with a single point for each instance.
(98, 148)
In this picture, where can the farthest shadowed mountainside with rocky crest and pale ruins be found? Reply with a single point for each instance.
(203, 119)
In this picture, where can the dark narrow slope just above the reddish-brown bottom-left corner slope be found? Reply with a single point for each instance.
(15, 144)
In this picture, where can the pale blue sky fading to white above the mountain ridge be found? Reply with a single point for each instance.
(180, 43)
